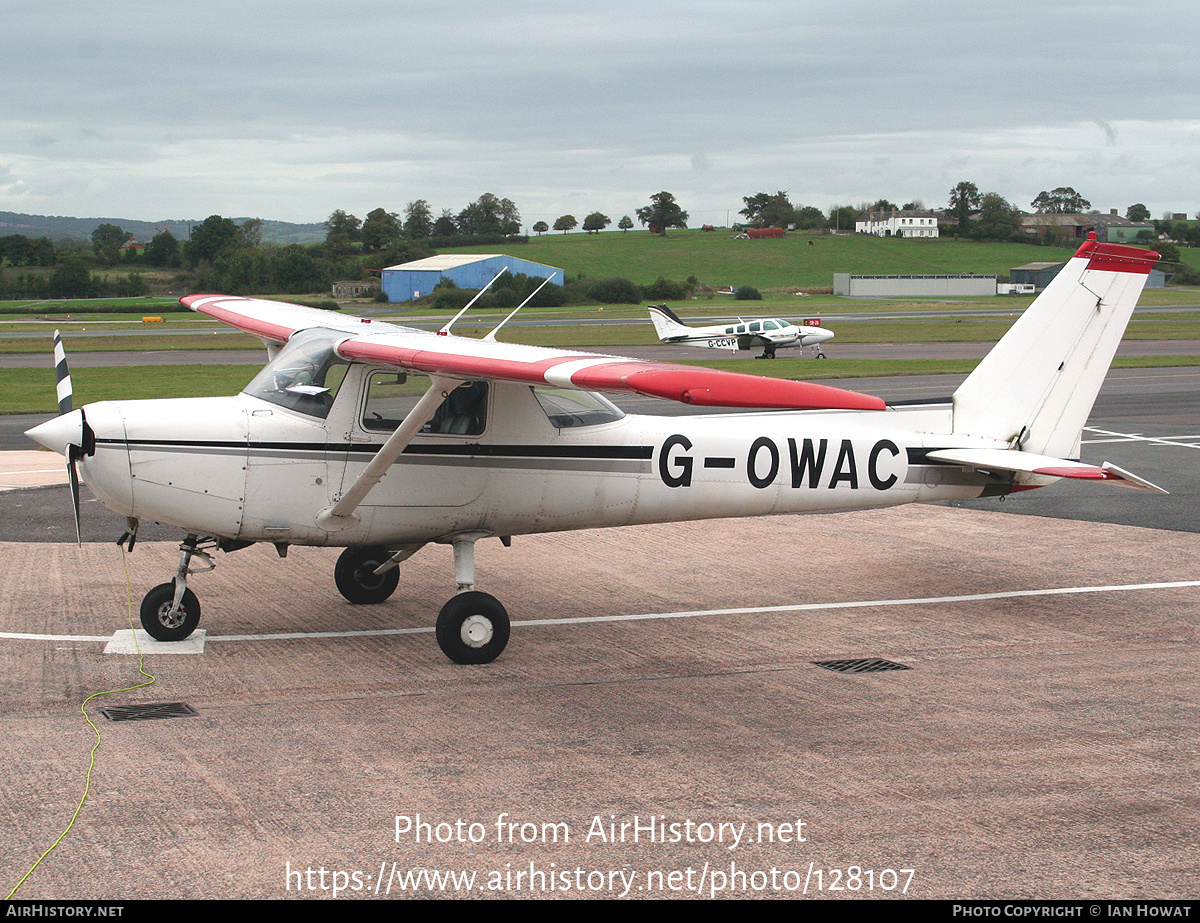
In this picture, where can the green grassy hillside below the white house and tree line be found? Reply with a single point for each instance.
(800, 260)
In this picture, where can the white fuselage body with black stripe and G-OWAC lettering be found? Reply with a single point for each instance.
(244, 469)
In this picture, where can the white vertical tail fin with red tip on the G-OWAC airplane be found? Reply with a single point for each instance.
(1037, 386)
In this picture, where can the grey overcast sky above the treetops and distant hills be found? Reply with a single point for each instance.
(181, 110)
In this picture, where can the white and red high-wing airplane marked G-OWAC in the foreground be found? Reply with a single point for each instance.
(333, 445)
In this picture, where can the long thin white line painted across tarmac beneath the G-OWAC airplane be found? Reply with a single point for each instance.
(655, 616)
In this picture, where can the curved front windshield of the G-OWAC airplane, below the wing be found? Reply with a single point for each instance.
(305, 376)
